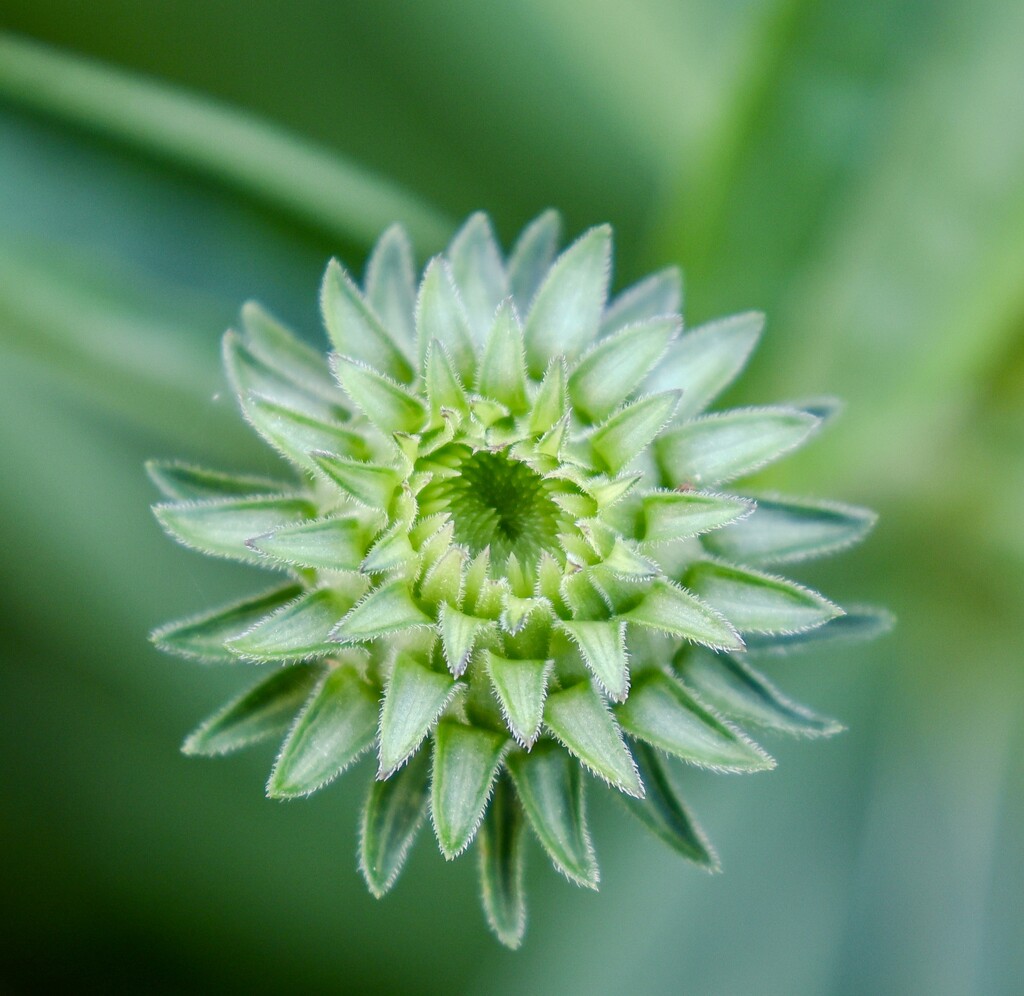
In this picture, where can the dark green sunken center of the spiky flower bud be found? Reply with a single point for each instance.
(501, 503)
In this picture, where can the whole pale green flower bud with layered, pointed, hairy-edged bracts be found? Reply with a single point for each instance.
(510, 554)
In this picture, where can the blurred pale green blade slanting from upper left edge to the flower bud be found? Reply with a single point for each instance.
(237, 149)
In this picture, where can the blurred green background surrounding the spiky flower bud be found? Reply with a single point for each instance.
(856, 170)
